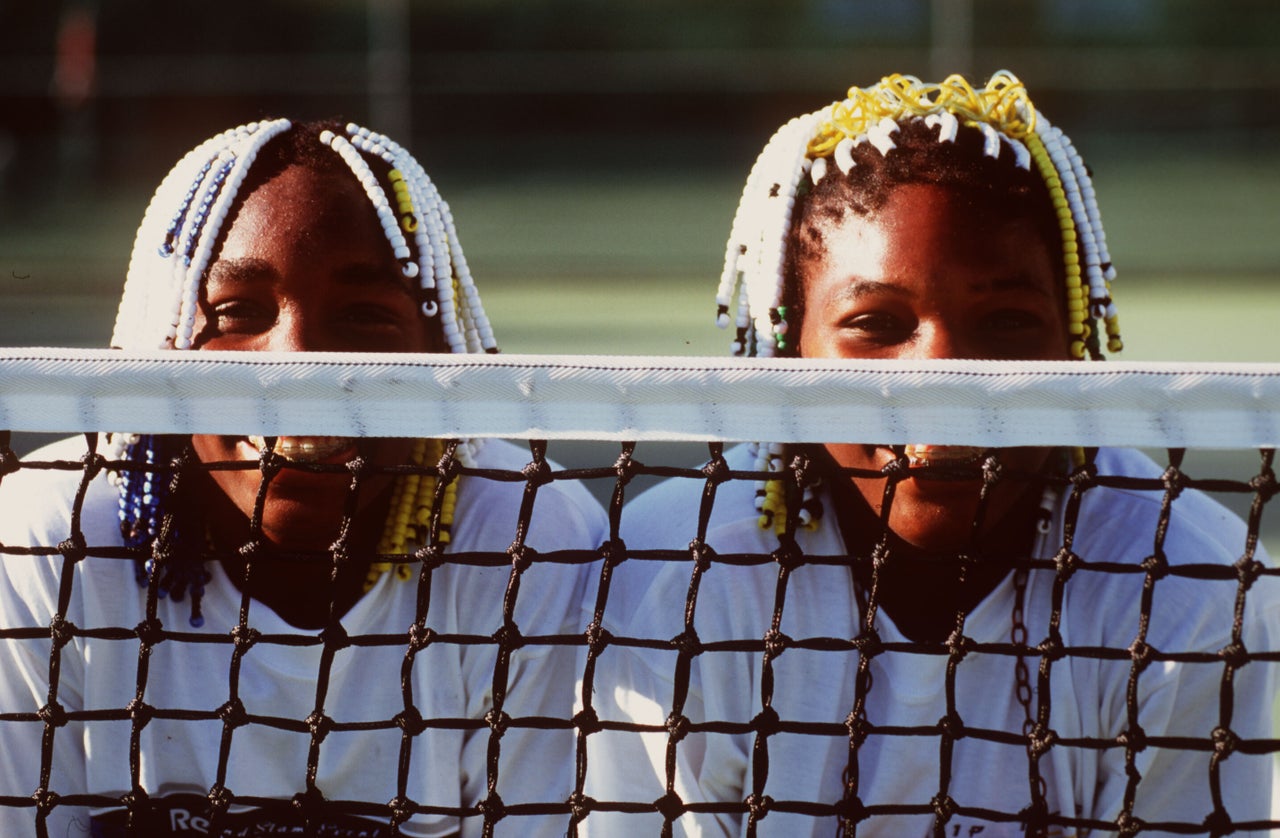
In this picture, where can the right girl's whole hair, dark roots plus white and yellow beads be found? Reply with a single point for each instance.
(848, 158)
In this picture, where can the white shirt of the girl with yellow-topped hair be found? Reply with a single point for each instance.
(904, 759)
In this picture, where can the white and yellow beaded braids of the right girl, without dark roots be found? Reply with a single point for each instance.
(755, 276)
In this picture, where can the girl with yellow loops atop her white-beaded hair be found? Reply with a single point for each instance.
(940, 640)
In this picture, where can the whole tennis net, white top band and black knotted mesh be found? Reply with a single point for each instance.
(665, 670)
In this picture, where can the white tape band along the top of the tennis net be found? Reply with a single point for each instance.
(643, 399)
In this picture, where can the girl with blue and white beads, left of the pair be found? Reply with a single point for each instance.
(254, 639)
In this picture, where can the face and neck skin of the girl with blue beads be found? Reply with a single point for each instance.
(305, 268)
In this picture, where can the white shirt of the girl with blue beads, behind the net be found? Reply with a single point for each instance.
(449, 684)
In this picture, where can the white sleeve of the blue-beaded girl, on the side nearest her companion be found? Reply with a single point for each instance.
(529, 744)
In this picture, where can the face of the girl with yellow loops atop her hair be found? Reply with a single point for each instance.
(934, 276)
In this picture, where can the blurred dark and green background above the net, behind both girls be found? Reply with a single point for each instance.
(593, 150)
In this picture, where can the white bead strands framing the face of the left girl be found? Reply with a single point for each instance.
(184, 223)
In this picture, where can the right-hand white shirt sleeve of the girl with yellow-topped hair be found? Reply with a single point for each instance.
(1204, 703)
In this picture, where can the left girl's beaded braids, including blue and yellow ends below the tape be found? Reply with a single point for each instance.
(172, 251)
